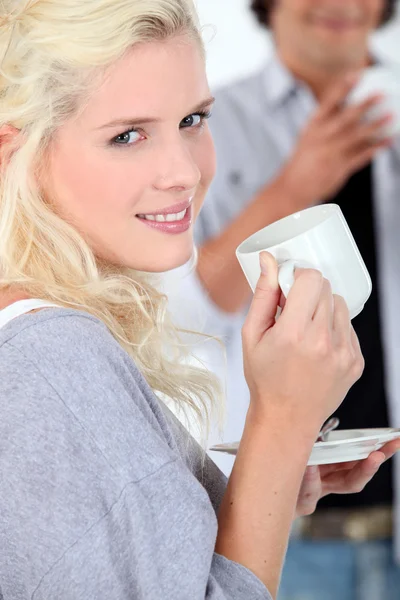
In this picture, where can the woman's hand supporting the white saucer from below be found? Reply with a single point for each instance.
(340, 478)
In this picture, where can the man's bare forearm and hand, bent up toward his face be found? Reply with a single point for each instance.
(336, 143)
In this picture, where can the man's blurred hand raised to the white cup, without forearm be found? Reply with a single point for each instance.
(337, 142)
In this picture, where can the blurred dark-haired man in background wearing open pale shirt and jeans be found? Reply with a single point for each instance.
(285, 140)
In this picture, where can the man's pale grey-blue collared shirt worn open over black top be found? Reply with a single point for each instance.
(256, 123)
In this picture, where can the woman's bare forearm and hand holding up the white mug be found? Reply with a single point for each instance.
(298, 369)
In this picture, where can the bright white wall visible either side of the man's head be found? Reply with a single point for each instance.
(236, 45)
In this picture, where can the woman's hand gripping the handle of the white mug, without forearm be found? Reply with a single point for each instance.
(300, 367)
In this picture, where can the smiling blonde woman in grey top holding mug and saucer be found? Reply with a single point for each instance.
(105, 162)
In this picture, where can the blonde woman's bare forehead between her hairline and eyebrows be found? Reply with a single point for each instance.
(150, 80)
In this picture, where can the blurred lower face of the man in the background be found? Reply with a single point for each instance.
(331, 33)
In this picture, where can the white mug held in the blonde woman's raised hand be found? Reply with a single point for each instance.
(318, 238)
